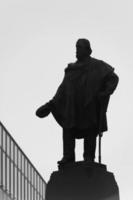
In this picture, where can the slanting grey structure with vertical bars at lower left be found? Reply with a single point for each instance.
(18, 177)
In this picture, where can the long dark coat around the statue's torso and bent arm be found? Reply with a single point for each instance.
(82, 98)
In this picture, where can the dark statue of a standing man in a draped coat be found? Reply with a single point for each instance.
(80, 103)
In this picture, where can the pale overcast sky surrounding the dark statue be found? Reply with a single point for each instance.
(37, 41)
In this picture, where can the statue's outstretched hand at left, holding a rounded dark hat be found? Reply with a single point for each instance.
(43, 111)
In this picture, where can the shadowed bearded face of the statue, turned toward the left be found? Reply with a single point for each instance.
(81, 51)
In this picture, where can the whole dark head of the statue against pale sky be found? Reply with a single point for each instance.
(83, 49)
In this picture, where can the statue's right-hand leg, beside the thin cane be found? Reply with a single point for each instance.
(89, 146)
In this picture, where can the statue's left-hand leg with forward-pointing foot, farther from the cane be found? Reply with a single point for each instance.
(68, 146)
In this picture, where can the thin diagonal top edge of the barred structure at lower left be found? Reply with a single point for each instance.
(1, 124)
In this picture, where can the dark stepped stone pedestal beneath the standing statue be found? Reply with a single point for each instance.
(82, 181)
